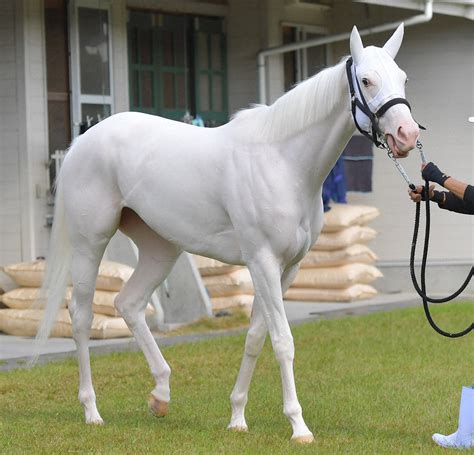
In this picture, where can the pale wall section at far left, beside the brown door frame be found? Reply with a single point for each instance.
(23, 131)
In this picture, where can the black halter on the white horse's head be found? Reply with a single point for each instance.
(361, 103)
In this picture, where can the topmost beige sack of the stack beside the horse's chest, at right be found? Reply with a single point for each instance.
(342, 216)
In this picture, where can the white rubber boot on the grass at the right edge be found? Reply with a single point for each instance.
(464, 437)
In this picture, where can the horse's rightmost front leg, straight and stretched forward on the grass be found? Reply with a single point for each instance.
(266, 272)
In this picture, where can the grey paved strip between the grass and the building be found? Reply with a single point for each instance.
(14, 351)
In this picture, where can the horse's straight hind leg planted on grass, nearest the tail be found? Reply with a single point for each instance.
(90, 228)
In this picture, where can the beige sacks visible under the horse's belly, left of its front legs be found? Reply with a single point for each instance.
(229, 286)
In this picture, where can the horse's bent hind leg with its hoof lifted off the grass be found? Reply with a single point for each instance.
(156, 259)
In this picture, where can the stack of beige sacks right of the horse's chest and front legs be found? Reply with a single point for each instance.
(339, 266)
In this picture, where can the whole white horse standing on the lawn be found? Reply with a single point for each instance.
(248, 193)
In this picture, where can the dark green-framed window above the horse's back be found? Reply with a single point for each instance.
(177, 64)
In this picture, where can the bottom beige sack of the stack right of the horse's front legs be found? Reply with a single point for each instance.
(354, 292)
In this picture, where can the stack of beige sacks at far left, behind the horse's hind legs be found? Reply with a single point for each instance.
(25, 309)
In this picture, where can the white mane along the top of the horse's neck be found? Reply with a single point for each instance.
(305, 104)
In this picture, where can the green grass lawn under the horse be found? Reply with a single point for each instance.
(381, 383)
